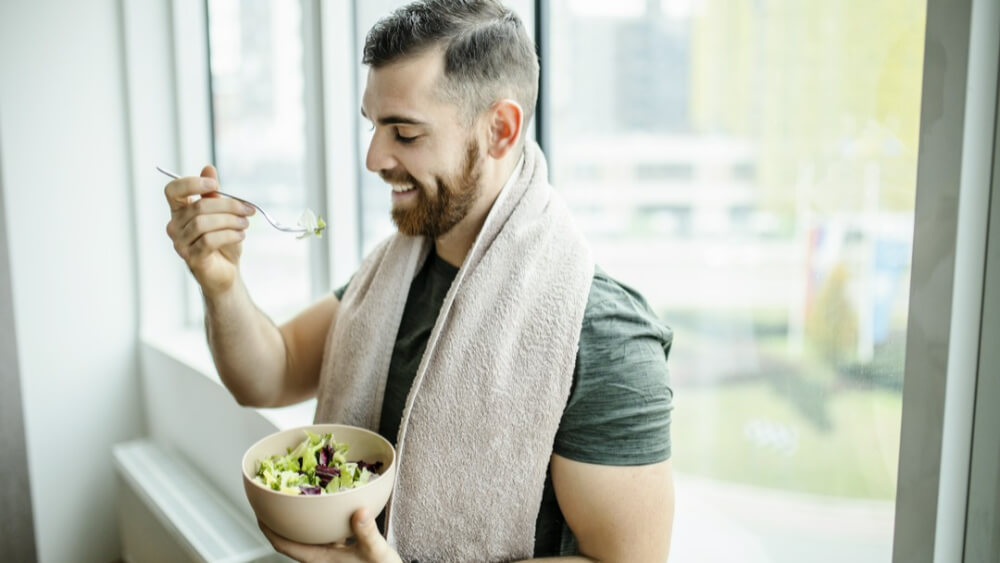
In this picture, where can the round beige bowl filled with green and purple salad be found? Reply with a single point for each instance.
(305, 483)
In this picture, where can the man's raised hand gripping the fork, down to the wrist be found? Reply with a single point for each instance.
(208, 230)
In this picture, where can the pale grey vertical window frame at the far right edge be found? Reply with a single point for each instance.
(955, 164)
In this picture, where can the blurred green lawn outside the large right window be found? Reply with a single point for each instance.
(855, 456)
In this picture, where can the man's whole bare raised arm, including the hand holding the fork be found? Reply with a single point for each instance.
(260, 364)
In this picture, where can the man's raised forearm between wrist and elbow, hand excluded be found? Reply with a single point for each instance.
(248, 349)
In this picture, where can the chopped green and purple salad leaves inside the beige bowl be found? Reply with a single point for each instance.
(316, 466)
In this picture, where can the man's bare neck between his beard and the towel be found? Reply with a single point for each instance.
(454, 245)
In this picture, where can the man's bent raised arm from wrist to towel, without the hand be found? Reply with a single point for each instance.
(261, 364)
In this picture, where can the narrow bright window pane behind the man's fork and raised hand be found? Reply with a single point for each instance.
(259, 120)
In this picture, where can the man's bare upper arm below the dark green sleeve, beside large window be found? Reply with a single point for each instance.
(616, 513)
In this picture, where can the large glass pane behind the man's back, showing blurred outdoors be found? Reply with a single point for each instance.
(751, 168)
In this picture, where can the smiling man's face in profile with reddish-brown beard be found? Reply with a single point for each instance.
(420, 146)
